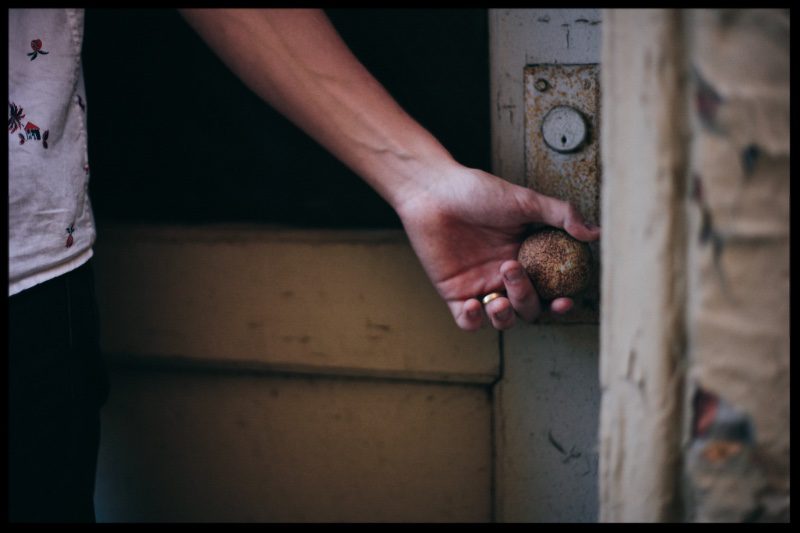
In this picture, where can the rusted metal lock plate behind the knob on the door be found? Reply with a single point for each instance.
(572, 174)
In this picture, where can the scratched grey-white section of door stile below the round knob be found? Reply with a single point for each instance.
(549, 403)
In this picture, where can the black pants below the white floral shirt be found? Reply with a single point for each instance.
(57, 385)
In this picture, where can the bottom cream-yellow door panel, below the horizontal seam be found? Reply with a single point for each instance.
(197, 446)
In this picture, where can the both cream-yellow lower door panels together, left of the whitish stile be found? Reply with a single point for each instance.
(286, 375)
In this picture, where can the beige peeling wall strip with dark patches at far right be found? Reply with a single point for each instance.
(738, 243)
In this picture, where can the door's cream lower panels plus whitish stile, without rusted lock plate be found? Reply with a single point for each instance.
(259, 375)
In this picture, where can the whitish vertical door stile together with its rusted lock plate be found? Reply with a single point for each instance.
(547, 401)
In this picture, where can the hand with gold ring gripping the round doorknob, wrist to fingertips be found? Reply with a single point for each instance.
(466, 228)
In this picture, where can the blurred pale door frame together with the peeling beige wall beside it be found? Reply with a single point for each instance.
(695, 328)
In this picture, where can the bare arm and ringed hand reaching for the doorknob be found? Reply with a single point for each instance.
(463, 223)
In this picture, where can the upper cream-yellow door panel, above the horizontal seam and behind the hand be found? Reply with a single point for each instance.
(333, 302)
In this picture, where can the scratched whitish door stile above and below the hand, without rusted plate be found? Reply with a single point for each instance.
(549, 391)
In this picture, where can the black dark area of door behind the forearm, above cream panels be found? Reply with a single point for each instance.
(175, 137)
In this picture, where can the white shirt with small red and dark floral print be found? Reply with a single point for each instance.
(51, 226)
